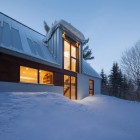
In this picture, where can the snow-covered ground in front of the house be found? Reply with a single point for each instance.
(50, 116)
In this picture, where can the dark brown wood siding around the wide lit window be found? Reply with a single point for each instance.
(10, 69)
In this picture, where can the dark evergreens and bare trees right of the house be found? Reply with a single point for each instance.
(124, 80)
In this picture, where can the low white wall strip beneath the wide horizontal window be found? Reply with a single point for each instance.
(27, 87)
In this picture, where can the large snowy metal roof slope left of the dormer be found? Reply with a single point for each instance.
(20, 40)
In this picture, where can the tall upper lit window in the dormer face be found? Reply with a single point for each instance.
(71, 56)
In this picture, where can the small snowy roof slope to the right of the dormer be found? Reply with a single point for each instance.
(87, 69)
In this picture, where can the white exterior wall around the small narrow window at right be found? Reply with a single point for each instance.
(83, 85)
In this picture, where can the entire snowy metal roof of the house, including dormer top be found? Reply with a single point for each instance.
(22, 41)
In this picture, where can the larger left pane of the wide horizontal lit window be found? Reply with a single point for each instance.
(28, 75)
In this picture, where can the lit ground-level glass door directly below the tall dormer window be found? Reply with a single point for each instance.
(70, 87)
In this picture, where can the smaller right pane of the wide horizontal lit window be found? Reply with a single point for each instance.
(45, 77)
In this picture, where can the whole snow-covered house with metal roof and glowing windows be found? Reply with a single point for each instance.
(32, 62)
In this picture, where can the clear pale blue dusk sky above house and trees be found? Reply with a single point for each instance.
(112, 25)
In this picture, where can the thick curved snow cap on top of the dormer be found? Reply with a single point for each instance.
(68, 28)
